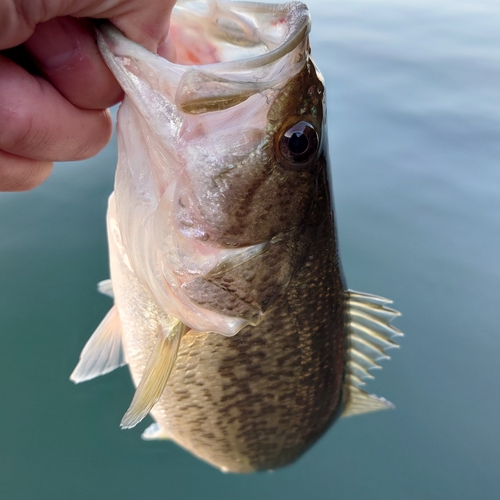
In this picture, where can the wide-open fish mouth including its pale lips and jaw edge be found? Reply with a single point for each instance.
(226, 52)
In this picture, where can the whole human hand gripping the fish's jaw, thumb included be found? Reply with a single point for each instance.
(54, 85)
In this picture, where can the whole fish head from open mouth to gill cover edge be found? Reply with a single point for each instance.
(220, 153)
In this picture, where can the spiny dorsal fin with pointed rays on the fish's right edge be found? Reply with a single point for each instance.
(369, 336)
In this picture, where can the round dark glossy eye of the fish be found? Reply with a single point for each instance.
(298, 145)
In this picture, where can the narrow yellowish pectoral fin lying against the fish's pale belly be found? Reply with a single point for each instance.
(156, 374)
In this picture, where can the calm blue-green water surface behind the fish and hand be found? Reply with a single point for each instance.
(414, 127)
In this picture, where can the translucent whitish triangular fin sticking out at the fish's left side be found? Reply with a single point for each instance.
(103, 352)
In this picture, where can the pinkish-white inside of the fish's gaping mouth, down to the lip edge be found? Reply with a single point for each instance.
(234, 35)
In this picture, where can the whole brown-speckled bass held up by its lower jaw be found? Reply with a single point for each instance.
(230, 305)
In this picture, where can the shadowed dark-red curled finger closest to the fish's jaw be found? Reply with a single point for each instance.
(66, 53)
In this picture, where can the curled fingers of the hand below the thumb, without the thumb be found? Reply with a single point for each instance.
(39, 124)
